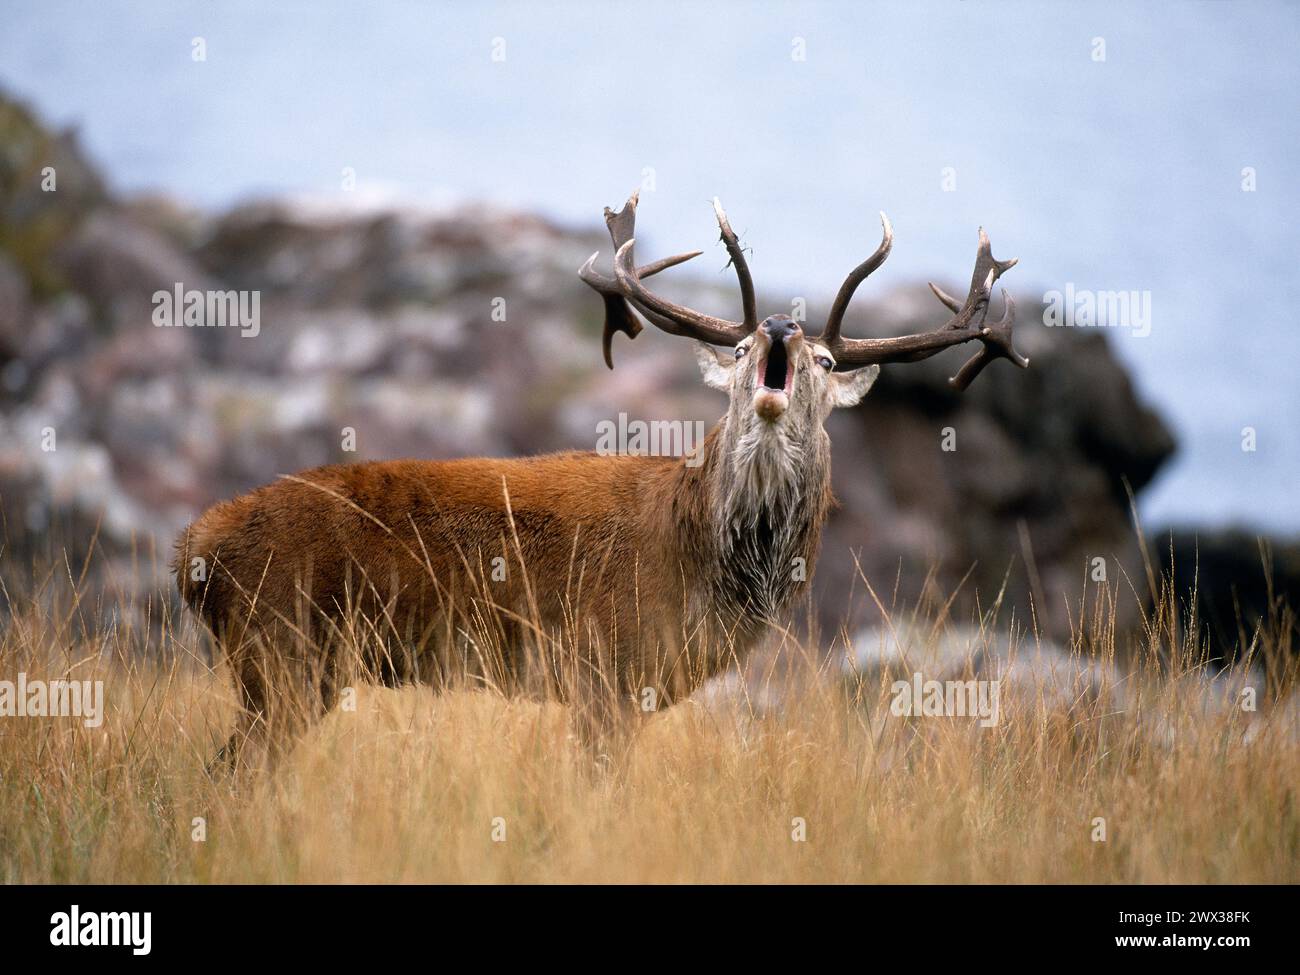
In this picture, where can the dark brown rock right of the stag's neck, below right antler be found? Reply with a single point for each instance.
(1020, 482)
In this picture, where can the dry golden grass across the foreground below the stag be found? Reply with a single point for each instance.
(409, 786)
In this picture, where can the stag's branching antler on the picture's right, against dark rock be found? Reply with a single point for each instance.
(968, 323)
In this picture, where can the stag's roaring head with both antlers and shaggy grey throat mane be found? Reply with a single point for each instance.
(768, 482)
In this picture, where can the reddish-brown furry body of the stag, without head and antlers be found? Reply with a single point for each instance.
(608, 575)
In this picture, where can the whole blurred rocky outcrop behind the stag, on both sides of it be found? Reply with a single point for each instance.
(460, 333)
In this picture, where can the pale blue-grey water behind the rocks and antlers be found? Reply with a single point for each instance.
(1116, 175)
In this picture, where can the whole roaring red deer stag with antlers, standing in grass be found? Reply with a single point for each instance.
(608, 580)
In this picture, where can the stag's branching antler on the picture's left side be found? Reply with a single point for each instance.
(625, 291)
